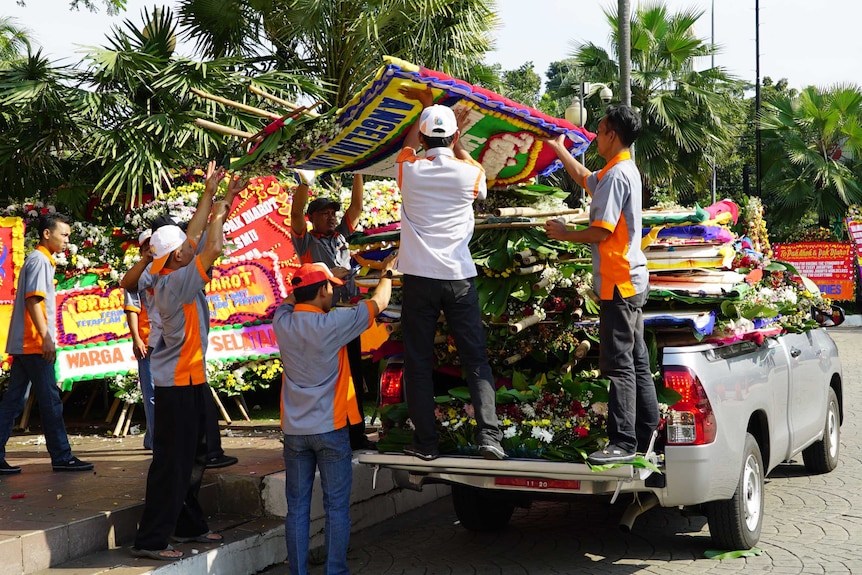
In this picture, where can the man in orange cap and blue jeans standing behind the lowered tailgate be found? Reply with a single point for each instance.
(317, 402)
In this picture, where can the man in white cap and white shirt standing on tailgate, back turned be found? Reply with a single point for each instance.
(438, 190)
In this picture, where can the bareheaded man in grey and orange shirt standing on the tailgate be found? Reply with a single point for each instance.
(620, 278)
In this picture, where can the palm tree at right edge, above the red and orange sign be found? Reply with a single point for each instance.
(812, 151)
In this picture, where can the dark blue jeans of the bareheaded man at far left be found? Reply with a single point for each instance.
(26, 369)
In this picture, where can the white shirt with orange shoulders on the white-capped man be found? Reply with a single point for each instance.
(437, 194)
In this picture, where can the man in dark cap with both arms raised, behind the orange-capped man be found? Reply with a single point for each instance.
(327, 243)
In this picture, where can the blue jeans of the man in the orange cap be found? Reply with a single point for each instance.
(331, 453)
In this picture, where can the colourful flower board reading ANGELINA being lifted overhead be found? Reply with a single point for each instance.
(503, 135)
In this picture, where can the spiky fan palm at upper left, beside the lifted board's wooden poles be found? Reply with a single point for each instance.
(143, 110)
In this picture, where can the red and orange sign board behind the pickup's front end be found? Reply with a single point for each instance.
(828, 264)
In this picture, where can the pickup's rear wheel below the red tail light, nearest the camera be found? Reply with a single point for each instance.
(735, 523)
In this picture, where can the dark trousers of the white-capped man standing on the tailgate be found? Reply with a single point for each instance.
(423, 300)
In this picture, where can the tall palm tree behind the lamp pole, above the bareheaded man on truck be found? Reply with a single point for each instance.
(685, 113)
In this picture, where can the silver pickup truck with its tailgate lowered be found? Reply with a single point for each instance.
(745, 408)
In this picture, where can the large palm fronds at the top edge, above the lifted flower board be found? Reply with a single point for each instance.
(339, 44)
